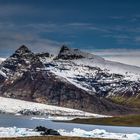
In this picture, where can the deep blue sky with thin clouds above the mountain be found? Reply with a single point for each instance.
(109, 28)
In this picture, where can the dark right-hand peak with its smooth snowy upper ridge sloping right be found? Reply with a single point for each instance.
(87, 59)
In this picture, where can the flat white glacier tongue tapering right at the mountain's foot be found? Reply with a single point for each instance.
(13, 106)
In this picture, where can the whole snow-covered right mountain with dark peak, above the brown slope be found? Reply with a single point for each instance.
(95, 74)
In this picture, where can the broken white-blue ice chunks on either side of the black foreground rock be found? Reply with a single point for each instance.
(97, 133)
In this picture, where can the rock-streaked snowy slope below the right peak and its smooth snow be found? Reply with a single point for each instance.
(94, 80)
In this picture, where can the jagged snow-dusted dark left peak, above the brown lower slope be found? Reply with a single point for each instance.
(23, 60)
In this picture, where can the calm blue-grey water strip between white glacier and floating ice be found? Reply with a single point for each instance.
(27, 122)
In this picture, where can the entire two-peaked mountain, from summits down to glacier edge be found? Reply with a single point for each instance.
(72, 79)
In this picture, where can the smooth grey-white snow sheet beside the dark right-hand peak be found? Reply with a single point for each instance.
(133, 72)
